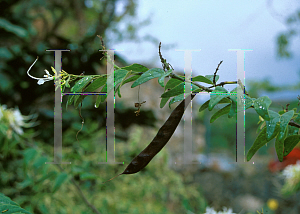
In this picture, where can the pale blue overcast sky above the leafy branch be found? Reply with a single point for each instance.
(214, 27)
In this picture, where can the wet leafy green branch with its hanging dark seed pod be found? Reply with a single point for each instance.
(275, 125)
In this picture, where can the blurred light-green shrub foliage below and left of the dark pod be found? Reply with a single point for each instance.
(44, 188)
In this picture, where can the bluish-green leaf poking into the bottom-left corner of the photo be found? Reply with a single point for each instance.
(7, 206)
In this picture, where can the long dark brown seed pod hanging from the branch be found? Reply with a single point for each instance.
(160, 140)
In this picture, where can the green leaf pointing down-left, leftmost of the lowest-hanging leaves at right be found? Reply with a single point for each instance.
(260, 141)
